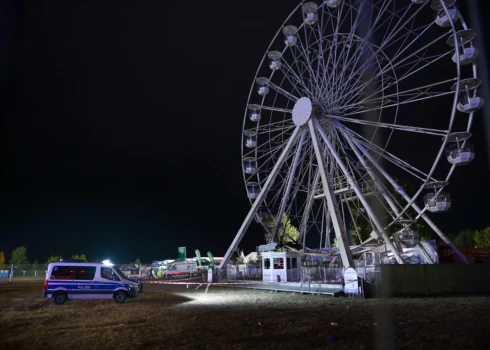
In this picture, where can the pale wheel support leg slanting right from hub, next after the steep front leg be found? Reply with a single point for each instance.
(359, 194)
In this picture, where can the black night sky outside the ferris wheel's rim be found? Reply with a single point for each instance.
(121, 127)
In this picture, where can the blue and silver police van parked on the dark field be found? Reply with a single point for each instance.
(80, 280)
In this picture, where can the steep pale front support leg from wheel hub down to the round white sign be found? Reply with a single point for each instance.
(333, 206)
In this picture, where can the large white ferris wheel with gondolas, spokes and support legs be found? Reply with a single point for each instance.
(351, 97)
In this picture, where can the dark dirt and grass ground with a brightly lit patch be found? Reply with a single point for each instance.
(176, 317)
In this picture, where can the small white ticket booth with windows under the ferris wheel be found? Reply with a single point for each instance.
(280, 266)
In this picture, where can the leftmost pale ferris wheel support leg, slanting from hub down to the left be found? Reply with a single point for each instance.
(260, 198)
